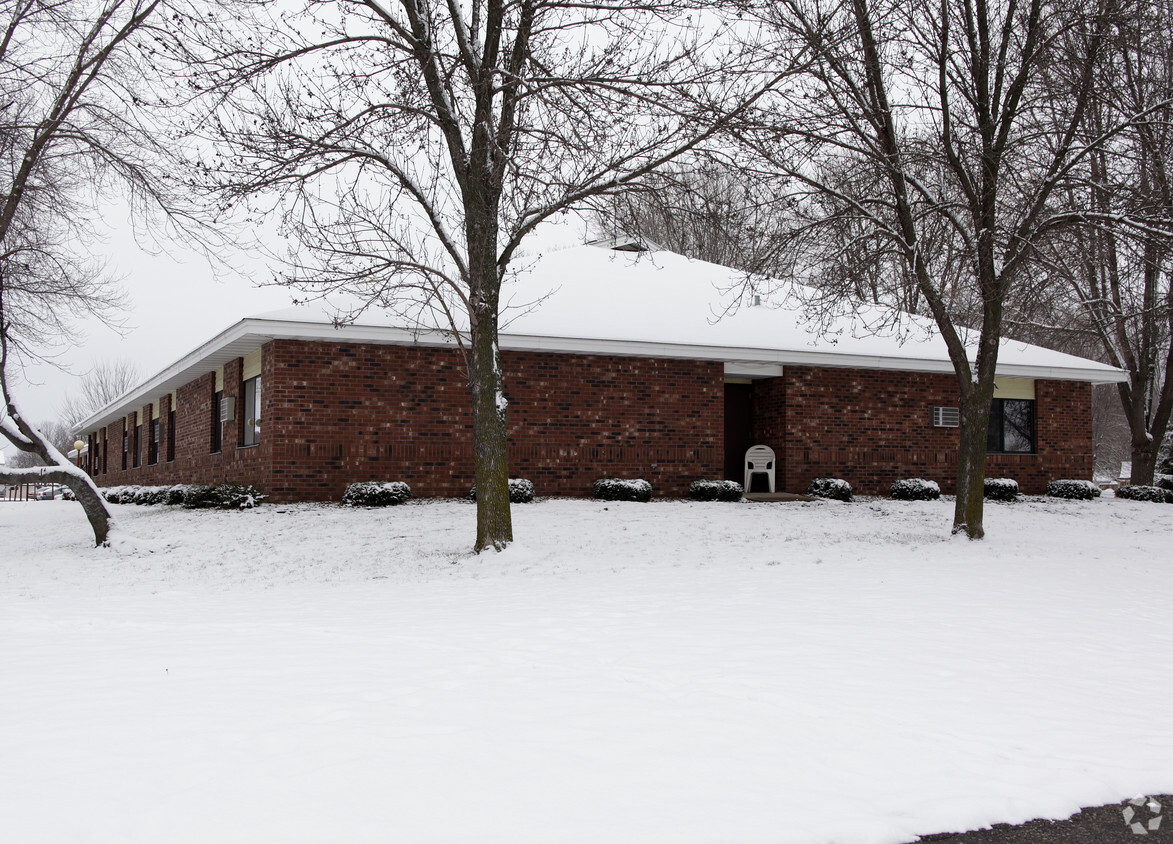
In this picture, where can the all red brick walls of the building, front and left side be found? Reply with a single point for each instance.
(337, 413)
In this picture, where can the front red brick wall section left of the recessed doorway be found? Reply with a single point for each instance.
(345, 413)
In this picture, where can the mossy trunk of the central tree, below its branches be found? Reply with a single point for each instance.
(491, 441)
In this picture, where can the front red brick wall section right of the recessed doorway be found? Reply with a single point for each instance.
(873, 427)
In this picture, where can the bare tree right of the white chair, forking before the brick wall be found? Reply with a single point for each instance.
(924, 142)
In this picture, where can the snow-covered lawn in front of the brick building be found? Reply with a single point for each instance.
(667, 672)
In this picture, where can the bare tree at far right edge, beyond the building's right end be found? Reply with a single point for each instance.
(1118, 269)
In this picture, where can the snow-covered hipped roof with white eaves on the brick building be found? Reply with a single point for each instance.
(598, 301)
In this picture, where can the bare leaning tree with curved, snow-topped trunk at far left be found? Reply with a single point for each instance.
(67, 137)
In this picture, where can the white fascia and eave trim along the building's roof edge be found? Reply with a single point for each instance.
(250, 335)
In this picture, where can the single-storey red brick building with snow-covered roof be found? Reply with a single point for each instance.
(616, 364)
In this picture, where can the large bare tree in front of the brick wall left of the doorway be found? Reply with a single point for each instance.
(411, 147)
